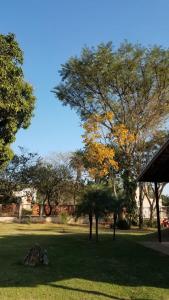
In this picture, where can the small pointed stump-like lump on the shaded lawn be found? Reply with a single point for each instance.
(36, 256)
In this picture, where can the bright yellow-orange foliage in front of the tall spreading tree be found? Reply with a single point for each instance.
(101, 138)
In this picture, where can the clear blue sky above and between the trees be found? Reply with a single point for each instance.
(50, 31)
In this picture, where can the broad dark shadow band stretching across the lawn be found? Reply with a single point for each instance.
(122, 262)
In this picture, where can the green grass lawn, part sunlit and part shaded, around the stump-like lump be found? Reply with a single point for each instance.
(80, 269)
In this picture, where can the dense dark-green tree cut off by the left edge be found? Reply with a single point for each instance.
(16, 95)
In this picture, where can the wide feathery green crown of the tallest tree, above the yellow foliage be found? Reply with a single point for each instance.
(103, 78)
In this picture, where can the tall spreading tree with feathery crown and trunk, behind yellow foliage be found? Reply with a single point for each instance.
(132, 82)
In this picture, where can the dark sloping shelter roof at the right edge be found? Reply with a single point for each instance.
(157, 169)
